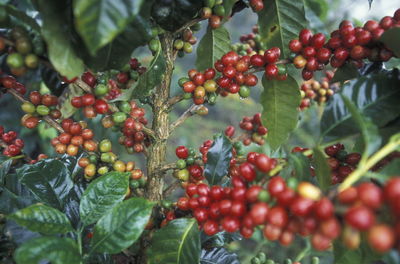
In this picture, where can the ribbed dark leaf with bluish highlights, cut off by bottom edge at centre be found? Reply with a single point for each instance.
(218, 256)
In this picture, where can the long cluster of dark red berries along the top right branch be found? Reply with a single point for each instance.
(348, 43)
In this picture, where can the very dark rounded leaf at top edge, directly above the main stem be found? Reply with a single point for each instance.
(173, 14)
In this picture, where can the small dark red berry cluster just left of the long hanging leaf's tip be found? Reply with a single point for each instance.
(255, 131)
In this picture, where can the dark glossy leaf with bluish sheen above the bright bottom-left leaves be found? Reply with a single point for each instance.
(49, 181)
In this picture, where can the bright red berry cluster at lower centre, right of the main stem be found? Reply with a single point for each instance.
(217, 207)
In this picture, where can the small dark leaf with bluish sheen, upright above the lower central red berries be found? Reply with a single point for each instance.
(218, 160)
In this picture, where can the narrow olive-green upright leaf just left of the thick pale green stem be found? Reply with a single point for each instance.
(322, 169)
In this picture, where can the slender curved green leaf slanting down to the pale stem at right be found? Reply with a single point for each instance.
(370, 134)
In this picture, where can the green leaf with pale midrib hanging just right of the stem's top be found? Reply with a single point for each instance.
(214, 44)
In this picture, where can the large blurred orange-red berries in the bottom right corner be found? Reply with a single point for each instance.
(364, 203)
